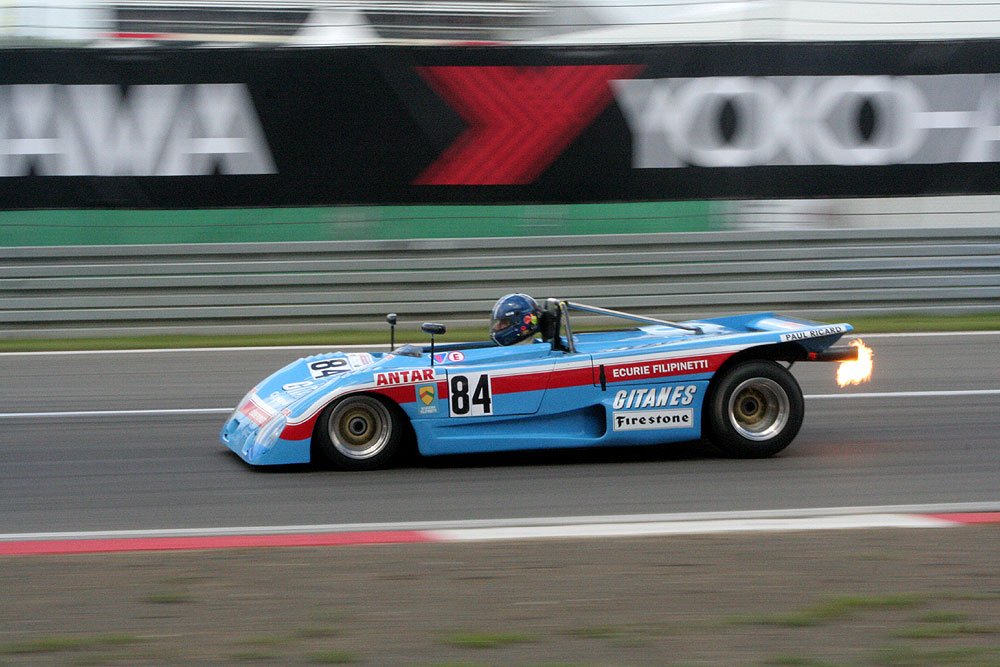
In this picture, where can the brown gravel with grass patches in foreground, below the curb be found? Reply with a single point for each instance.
(876, 597)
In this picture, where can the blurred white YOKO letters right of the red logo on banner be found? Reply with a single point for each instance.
(812, 120)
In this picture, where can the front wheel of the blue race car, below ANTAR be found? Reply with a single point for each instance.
(359, 432)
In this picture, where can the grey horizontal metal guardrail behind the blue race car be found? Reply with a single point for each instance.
(256, 288)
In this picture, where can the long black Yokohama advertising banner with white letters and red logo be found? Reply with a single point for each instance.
(205, 128)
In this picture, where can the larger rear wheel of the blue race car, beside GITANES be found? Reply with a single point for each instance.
(753, 410)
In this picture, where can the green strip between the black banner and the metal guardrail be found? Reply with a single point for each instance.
(121, 227)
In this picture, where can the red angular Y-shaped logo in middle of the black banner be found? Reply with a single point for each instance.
(520, 119)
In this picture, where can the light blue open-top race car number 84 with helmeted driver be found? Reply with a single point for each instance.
(537, 384)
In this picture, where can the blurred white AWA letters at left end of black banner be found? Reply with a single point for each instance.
(151, 130)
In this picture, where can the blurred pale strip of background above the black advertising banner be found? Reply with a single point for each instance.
(344, 22)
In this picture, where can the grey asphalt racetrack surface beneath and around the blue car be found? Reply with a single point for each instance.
(140, 472)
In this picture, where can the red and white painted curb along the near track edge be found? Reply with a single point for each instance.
(704, 523)
